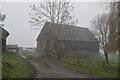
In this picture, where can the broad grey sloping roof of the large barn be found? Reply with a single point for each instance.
(67, 32)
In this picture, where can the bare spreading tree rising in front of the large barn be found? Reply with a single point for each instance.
(55, 12)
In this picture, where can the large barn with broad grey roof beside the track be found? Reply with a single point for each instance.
(69, 38)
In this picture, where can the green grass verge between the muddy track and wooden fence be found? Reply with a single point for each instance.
(87, 68)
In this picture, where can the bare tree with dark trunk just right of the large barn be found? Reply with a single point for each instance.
(100, 23)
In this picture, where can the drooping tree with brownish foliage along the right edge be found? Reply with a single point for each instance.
(113, 30)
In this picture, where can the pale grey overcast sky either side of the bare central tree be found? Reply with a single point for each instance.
(17, 18)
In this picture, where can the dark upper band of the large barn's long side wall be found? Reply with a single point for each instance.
(92, 47)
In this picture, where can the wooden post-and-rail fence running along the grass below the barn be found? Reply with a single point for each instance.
(79, 61)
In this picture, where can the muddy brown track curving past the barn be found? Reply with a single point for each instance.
(45, 69)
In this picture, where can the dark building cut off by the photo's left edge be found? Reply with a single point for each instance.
(3, 35)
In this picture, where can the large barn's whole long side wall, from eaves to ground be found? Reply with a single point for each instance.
(86, 50)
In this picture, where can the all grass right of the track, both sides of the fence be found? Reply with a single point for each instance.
(89, 66)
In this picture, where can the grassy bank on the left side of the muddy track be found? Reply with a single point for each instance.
(15, 67)
